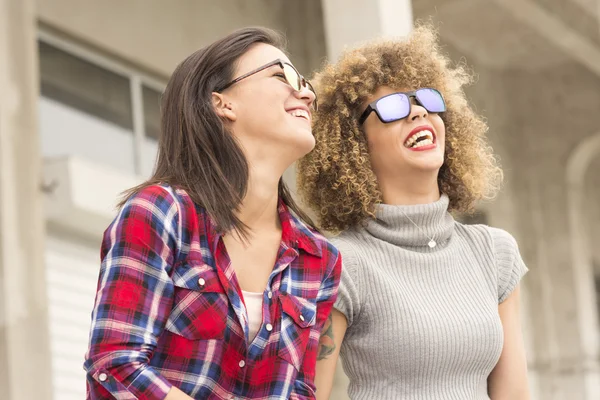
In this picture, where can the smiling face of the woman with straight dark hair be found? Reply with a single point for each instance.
(269, 118)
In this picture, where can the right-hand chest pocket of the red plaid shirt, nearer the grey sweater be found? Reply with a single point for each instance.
(298, 317)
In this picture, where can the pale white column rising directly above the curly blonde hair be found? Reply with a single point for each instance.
(350, 21)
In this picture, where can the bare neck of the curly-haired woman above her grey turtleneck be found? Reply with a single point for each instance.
(410, 188)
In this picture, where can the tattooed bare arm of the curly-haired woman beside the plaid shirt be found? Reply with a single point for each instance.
(329, 348)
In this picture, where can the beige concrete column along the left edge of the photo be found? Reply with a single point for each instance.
(24, 340)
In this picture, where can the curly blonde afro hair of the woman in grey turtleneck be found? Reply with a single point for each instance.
(336, 179)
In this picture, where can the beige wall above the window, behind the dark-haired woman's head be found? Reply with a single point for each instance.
(159, 34)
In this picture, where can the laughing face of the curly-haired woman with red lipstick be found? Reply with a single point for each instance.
(414, 144)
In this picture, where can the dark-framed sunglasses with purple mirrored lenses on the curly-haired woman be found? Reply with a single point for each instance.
(397, 106)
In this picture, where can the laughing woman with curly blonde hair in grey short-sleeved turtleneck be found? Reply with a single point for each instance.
(428, 308)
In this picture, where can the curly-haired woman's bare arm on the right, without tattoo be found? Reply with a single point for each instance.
(508, 380)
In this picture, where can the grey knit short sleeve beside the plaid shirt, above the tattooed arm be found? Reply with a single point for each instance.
(348, 301)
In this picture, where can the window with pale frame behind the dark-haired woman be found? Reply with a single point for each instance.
(96, 108)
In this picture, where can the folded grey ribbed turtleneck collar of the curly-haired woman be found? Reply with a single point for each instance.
(393, 224)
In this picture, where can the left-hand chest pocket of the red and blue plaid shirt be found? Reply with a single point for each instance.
(200, 305)
